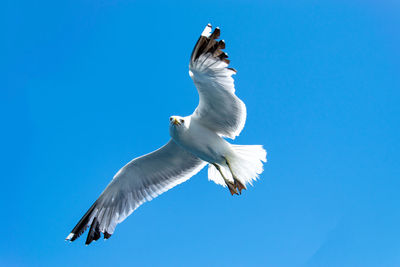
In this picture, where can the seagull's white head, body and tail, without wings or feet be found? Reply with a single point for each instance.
(193, 136)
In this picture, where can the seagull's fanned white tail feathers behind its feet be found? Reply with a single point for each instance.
(246, 163)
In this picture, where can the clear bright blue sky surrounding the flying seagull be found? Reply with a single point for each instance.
(82, 81)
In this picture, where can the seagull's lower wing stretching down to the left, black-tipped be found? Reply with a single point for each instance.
(139, 181)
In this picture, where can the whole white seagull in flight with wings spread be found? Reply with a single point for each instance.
(196, 140)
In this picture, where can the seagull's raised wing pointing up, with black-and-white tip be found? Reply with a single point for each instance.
(219, 109)
